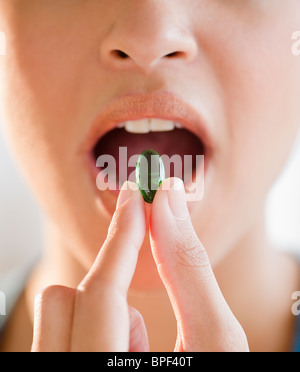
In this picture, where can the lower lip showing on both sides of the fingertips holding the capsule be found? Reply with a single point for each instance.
(108, 198)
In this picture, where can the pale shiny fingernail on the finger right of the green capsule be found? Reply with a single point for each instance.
(177, 200)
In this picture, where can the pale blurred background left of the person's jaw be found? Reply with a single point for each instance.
(20, 227)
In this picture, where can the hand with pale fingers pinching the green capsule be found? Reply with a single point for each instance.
(96, 316)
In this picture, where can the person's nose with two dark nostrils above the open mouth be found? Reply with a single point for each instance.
(146, 33)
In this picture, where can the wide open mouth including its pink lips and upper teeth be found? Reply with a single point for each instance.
(136, 122)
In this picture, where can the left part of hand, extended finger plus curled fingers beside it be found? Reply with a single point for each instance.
(96, 316)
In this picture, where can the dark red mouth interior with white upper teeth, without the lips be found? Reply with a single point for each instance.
(180, 148)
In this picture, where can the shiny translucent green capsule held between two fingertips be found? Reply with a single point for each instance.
(150, 173)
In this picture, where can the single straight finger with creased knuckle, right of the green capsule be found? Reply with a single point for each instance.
(204, 319)
